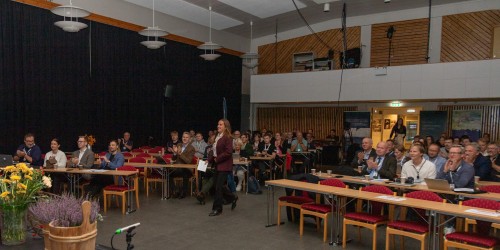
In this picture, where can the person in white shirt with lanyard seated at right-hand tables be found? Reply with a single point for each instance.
(418, 167)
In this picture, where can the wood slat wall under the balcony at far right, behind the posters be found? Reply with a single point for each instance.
(491, 118)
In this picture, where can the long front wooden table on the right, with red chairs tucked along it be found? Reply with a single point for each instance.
(435, 209)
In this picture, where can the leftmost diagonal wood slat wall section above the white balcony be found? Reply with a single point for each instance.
(282, 53)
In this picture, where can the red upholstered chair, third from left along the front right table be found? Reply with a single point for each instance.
(370, 220)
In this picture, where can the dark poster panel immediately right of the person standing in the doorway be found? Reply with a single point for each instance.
(433, 123)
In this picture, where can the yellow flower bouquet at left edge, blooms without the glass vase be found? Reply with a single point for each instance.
(20, 185)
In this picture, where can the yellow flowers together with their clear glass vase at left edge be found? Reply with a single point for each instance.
(19, 186)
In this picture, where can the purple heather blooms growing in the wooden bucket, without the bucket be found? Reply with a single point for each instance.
(65, 210)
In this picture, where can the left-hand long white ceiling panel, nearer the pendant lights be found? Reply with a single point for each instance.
(190, 12)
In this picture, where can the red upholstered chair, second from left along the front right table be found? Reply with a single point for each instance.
(320, 210)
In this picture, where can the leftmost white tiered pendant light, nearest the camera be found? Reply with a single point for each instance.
(71, 14)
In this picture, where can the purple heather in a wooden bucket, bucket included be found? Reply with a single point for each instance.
(67, 222)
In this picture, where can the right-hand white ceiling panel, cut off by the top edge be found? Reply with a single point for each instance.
(264, 8)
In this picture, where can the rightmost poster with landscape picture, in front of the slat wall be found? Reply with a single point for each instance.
(466, 122)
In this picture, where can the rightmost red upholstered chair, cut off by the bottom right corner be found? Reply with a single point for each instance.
(479, 240)
